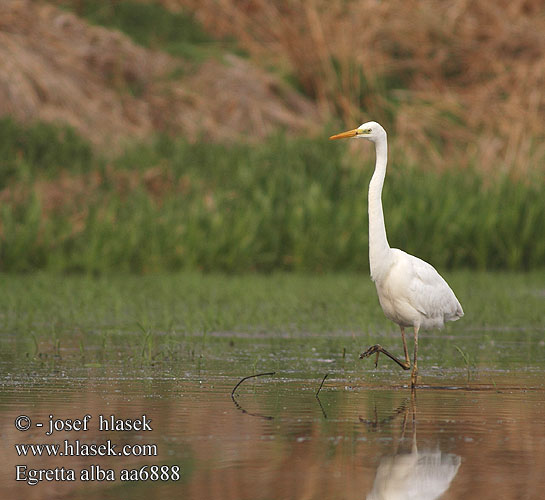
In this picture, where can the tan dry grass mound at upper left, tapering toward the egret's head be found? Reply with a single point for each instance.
(56, 67)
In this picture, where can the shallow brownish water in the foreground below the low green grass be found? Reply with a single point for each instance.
(462, 434)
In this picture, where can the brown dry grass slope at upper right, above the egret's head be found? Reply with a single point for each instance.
(469, 75)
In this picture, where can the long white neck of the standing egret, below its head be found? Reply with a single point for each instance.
(379, 249)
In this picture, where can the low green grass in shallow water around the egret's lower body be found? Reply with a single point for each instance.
(200, 319)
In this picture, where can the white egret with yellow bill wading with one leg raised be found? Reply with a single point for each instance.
(410, 291)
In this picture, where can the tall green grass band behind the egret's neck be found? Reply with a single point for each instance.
(286, 204)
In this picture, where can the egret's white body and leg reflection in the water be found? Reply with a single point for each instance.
(418, 474)
